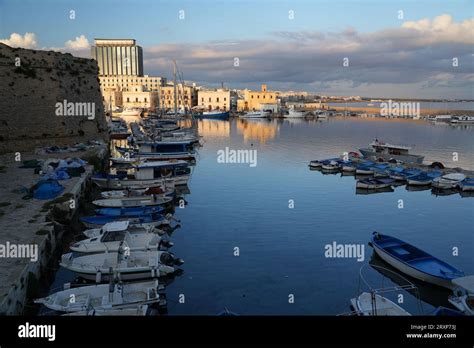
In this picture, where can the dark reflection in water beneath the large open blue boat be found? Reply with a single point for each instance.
(433, 295)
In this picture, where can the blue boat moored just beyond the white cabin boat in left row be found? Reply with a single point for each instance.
(143, 220)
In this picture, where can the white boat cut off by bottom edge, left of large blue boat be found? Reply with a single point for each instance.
(371, 304)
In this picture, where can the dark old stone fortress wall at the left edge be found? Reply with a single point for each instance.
(29, 94)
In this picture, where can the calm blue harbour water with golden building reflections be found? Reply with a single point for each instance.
(281, 250)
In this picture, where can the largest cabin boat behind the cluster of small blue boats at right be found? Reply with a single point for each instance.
(378, 149)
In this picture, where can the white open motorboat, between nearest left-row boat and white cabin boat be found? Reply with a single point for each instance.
(122, 265)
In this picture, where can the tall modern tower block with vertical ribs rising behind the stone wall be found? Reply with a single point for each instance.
(118, 57)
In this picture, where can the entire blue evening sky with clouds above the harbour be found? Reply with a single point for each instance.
(403, 48)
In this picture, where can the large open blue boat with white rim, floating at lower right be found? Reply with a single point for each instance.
(413, 261)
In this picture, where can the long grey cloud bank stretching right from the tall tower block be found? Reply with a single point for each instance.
(418, 53)
